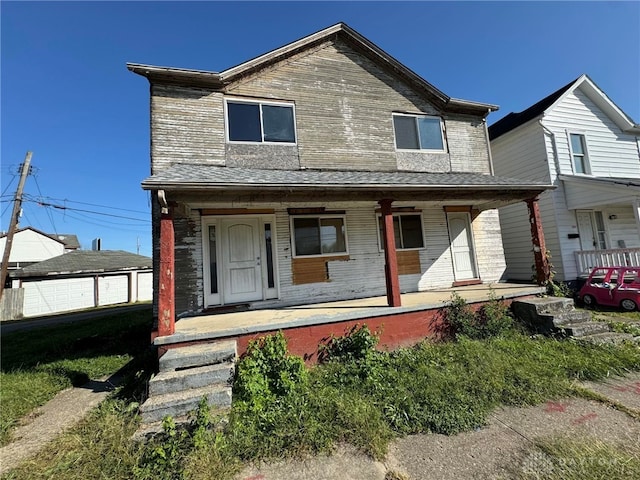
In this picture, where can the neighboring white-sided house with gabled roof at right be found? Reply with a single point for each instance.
(580, 141)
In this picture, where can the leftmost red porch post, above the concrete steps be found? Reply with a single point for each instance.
(166, 278)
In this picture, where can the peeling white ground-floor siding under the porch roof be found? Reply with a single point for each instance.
(359, 275)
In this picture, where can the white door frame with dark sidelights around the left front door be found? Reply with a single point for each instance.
(268, 293)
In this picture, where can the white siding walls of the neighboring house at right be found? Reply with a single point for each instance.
(529, 150)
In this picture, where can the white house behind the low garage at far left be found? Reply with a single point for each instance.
(31, 246)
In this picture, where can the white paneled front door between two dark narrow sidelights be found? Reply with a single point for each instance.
(241, 260)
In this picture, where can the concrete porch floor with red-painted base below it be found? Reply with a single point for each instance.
(306, 326)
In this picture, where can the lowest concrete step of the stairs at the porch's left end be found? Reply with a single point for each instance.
(179, 404)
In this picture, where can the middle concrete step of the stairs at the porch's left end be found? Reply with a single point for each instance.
(175, 381)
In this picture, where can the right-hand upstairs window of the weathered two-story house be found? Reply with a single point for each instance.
(418, 132)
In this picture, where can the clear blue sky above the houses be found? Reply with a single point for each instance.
(67, 96)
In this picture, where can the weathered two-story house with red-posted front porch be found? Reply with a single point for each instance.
(322, 171)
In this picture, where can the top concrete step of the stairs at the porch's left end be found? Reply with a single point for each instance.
(198, 355)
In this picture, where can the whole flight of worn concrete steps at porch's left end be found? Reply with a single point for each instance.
(186, 374)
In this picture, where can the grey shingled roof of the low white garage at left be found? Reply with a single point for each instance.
(86, 261)
